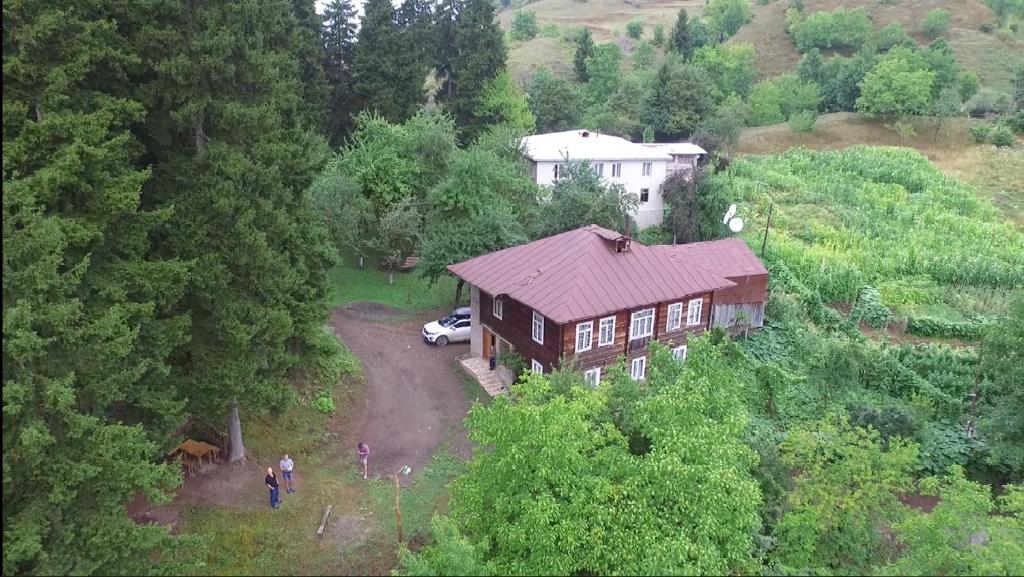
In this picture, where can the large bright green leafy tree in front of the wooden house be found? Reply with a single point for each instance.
(560, 481)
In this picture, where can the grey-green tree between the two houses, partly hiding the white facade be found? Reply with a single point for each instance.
(580, 198)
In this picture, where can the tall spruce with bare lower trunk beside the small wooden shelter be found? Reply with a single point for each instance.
(233, 155)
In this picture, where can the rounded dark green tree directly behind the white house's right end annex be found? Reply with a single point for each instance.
(681, 97)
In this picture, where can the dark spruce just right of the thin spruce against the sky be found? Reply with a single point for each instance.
(386, 79)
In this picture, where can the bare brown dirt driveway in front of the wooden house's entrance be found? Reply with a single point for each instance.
(414, 400)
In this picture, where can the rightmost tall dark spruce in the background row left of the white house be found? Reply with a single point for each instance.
(481, 57)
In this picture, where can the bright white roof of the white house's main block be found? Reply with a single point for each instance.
(585, 145)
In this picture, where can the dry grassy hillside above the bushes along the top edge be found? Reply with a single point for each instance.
(991, 56)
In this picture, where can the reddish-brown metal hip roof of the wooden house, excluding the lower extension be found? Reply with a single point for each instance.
(579, 275)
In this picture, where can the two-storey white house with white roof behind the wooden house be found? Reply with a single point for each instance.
(639, 169)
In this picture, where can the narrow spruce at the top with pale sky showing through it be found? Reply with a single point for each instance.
(338, 34)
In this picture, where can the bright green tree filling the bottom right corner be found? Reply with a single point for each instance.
(965, 534)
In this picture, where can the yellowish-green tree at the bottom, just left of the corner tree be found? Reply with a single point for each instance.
(848, 485)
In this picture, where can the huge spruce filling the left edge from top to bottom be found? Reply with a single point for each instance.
(90, 319)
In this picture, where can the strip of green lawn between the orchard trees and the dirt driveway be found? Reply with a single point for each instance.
(410, 292)
